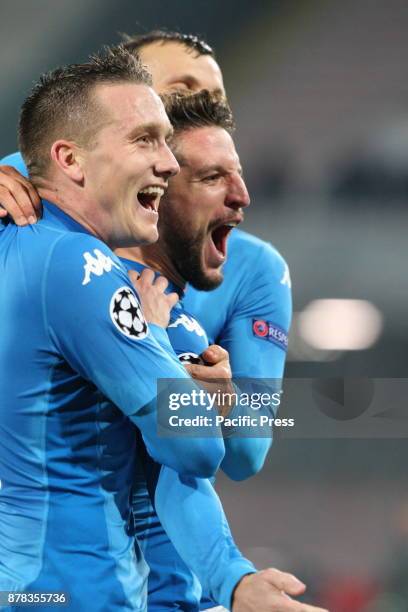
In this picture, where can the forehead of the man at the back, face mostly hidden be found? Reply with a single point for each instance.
(172, 61)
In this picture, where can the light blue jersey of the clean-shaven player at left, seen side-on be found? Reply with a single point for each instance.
(78, 369)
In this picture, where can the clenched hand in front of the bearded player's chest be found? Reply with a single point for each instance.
(216, 376)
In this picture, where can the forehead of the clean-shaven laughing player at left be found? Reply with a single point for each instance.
(129, 104)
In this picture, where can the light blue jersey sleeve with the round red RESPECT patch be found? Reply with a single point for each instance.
(256, 337)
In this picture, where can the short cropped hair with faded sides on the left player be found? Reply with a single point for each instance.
(61, 104)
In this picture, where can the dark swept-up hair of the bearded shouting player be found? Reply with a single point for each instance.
(202, 109)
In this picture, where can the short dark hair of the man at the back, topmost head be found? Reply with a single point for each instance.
(191, 41)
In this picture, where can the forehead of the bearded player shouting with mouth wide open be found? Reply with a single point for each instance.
(201, 147)
